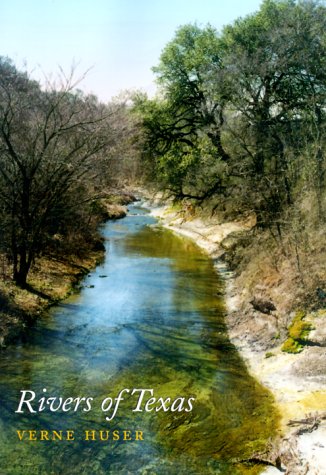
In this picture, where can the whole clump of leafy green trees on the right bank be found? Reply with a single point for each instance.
(239, 109)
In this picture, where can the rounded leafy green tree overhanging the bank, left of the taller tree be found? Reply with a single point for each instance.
(189, 112)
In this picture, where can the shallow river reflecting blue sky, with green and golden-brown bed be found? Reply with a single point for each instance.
(150, 317)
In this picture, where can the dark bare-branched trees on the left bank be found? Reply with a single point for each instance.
(50, 141)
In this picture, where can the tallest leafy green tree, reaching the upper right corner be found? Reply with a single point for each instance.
(274, 62)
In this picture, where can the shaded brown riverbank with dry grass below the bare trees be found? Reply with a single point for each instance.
(53, 278)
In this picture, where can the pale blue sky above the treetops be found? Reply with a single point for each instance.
(118, 41)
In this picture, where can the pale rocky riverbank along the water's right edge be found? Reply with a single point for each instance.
(298, 380)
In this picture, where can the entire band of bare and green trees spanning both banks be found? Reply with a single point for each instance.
(239, 122)
